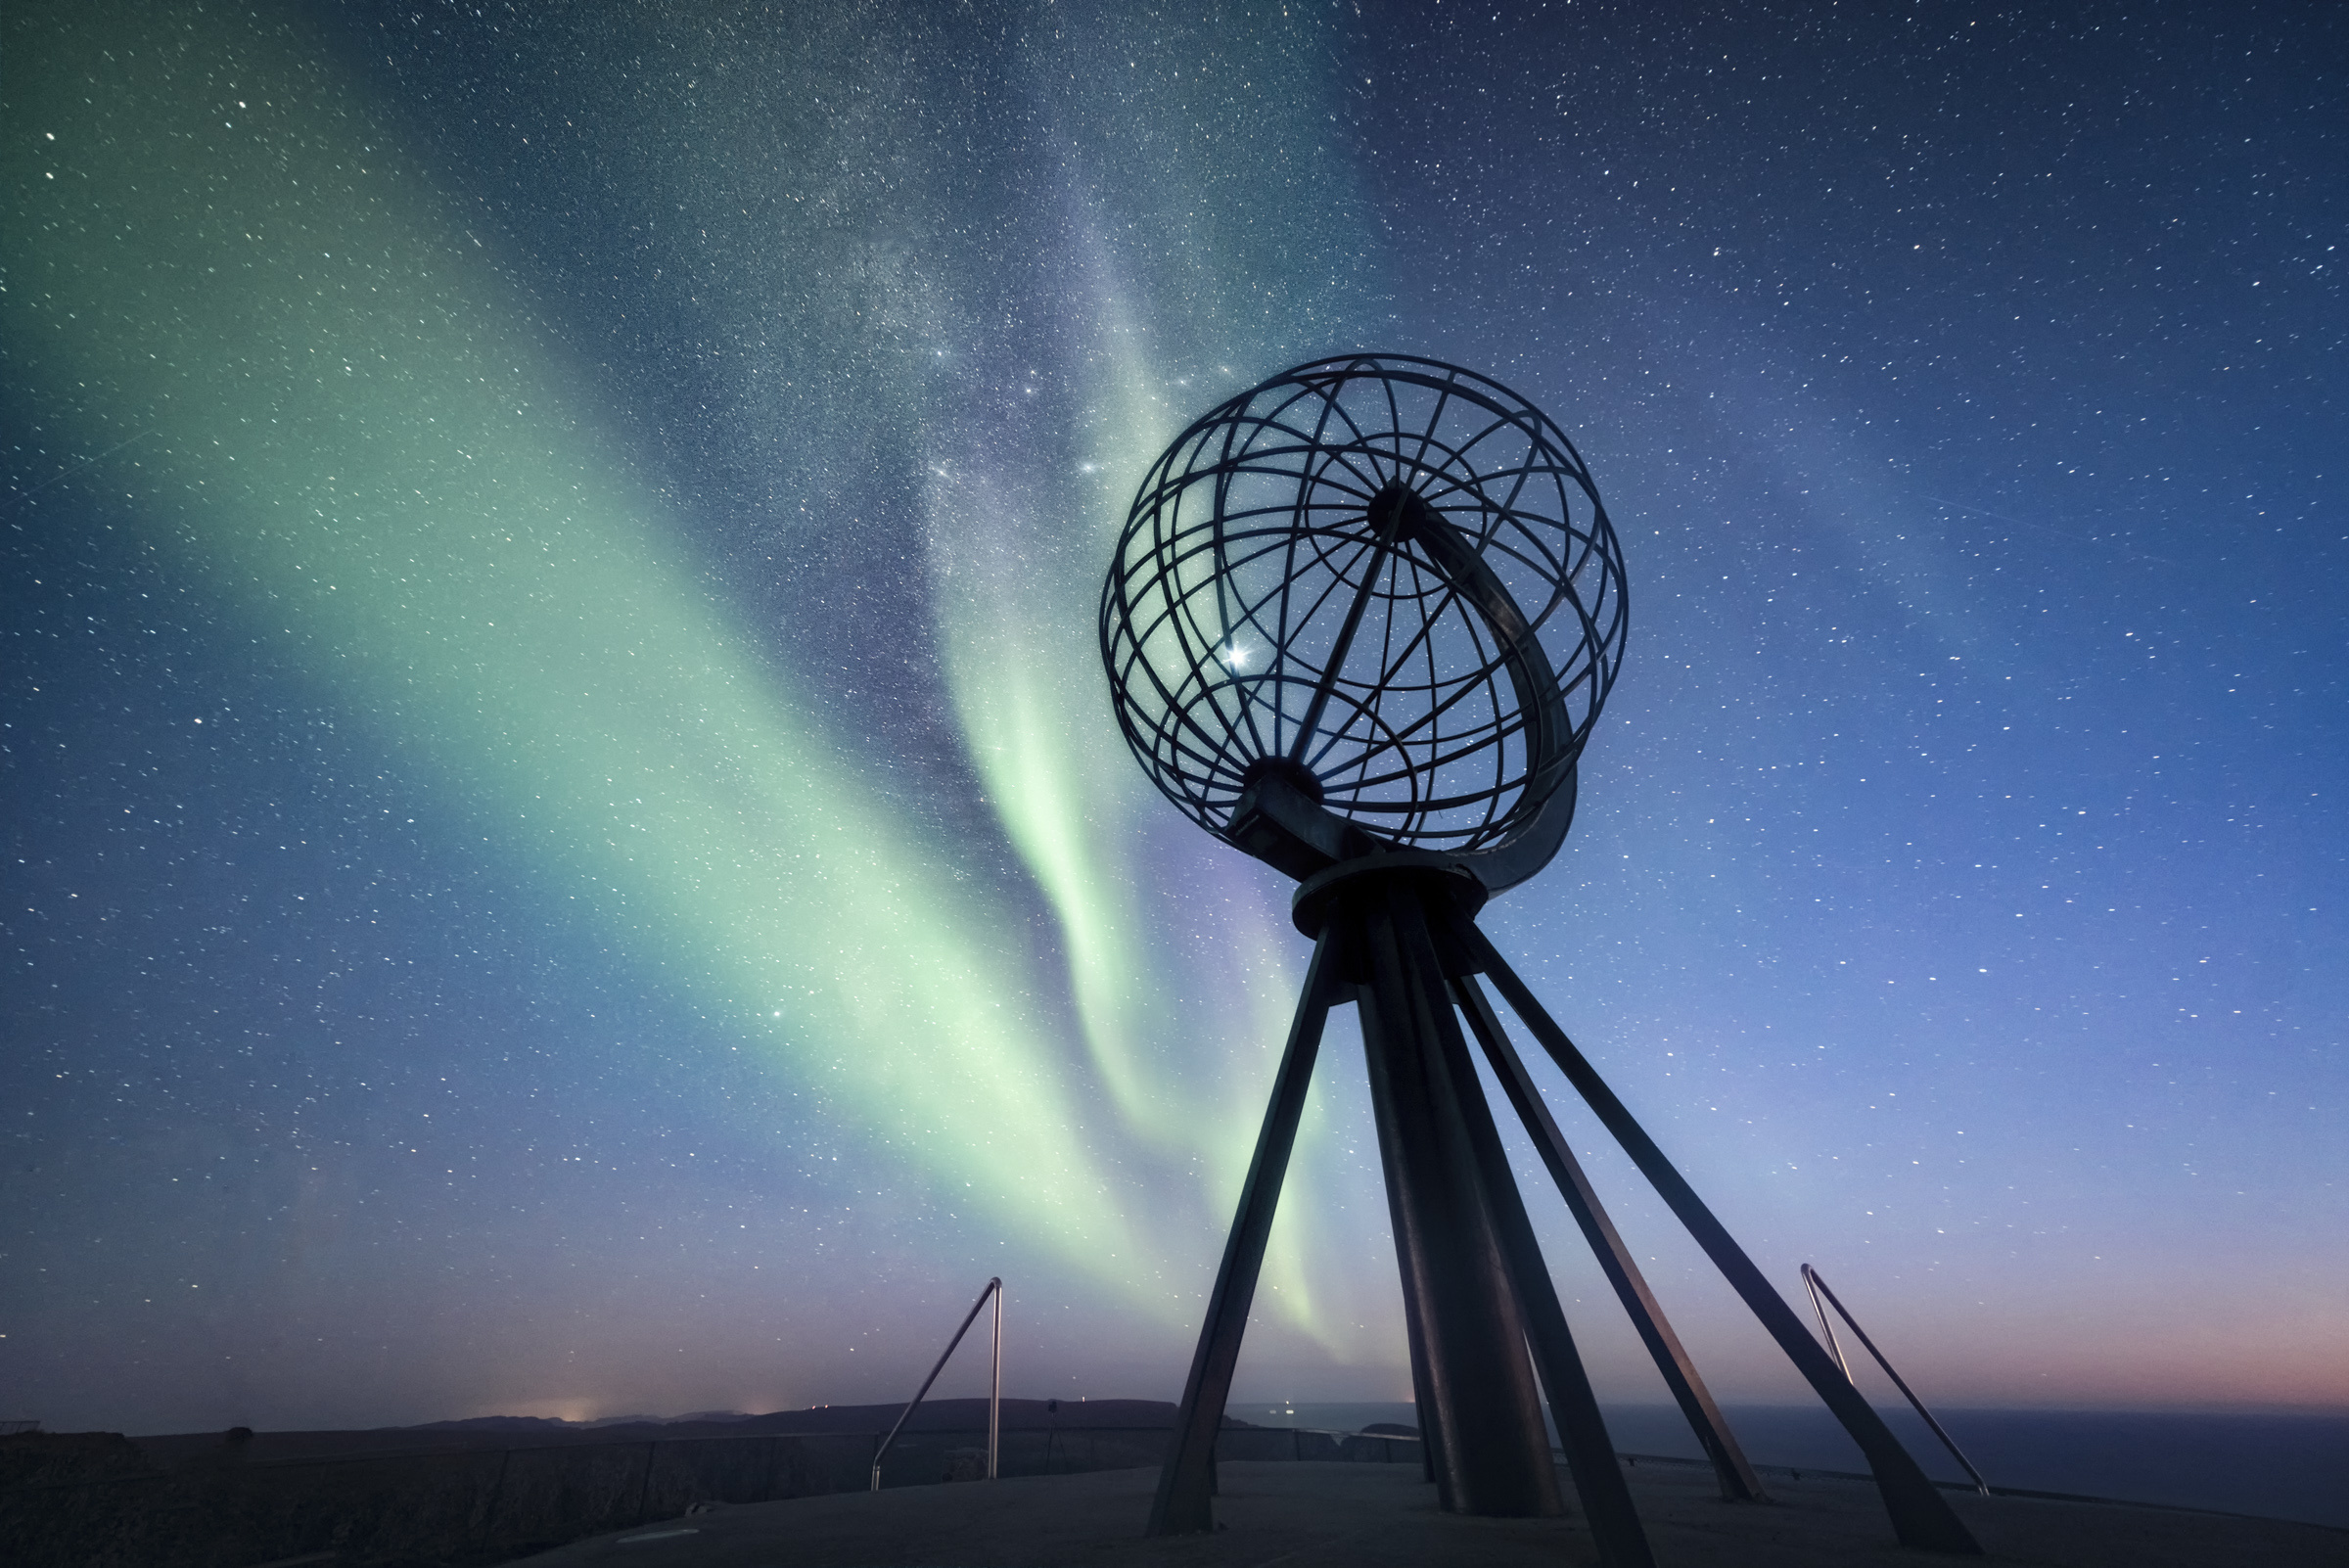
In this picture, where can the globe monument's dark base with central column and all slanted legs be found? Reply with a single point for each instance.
(1490, 1341)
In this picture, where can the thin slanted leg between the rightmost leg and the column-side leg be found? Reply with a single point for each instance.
(1739, 1482)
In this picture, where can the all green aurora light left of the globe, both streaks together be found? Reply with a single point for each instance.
(344, 421)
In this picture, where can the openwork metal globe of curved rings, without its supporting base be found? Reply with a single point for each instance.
(1368, 604)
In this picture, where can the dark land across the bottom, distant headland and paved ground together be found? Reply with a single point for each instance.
(790, 1492)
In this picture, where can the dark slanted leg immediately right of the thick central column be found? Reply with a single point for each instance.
(1615, 1522)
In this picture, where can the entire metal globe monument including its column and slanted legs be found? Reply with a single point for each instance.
(1361, 623)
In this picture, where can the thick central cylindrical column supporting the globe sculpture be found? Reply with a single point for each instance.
(1483, 1405)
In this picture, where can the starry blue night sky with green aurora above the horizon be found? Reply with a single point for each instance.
(567, 849)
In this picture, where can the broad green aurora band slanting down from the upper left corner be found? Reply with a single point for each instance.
(351, 445)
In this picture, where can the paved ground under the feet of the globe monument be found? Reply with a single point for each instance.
(1371, 1515)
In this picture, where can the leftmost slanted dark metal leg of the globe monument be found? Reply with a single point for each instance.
(1187, 1482)
